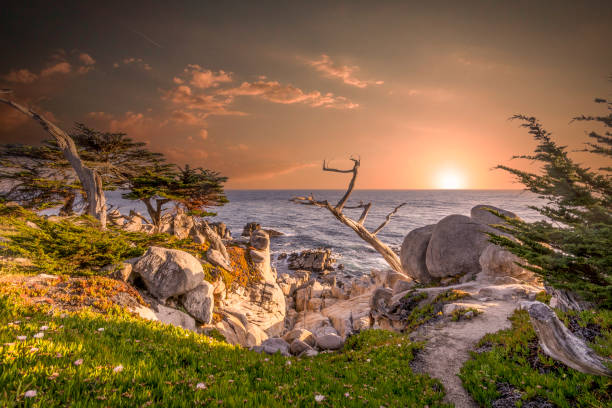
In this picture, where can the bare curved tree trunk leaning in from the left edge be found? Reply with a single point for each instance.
(90, 179)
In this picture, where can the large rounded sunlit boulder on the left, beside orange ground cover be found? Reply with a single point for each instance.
(168, 272)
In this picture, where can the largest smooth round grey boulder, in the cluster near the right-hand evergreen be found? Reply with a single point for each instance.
(455, 246)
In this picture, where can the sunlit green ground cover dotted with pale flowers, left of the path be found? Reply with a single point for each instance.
(163, 365)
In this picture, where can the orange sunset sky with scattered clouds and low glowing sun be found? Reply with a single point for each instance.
(265, 91)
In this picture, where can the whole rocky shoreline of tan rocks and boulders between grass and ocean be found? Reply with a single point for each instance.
(316, 305)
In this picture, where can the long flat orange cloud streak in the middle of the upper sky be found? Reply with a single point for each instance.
(274, 91)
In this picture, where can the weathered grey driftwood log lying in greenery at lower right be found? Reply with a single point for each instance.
(559, 343)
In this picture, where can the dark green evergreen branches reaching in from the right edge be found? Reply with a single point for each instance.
(571, 249)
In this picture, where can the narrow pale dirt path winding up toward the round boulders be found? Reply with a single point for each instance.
(448, 345)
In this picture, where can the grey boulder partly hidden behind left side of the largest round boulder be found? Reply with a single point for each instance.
(414, 251)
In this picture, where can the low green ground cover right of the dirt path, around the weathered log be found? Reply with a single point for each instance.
(516, 359)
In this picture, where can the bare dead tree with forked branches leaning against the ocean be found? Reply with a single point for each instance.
(357, 226)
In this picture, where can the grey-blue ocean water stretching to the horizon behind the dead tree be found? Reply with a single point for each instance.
(308, 227)
